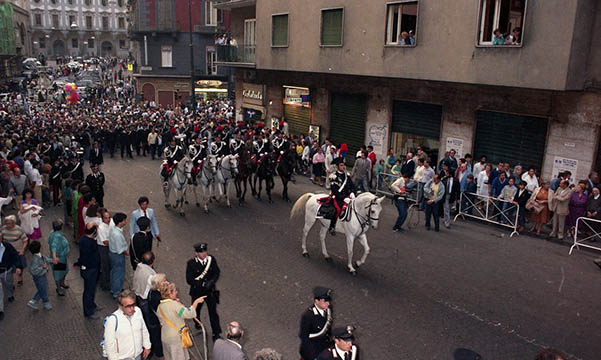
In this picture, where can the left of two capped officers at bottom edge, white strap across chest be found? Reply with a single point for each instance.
(316, 325)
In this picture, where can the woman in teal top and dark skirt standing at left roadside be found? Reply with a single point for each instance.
(59, 249)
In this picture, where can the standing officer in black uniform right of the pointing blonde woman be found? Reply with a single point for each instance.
(202, 274)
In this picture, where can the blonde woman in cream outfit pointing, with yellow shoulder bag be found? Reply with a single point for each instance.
(175, 335)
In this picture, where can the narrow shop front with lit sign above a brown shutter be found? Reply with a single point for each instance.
(297, 109)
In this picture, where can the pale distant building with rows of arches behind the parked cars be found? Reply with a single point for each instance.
(79, 27)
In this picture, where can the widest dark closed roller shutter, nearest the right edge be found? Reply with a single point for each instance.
(515, 139)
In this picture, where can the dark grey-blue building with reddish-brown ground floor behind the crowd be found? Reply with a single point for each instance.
(161, 32)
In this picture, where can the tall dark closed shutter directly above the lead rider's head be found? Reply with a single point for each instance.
(348, 114)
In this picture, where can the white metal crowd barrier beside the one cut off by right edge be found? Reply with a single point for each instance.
(489, 209)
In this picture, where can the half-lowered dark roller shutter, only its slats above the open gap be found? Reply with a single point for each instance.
(419, 119)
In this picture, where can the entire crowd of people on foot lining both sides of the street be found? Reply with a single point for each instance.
(44, 148)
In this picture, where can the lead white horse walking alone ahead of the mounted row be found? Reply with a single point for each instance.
(363, 213)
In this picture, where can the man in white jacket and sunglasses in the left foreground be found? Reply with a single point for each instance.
(125, 334)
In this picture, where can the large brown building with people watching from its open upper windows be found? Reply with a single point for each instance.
(435, 74)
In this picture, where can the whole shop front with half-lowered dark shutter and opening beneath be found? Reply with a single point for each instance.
(416, 125)
